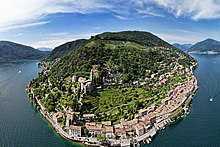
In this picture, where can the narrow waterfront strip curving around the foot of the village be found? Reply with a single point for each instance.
(146, 137)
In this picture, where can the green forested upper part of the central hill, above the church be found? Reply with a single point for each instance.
(129, 52)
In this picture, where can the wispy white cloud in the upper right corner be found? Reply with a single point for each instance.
(194, 9)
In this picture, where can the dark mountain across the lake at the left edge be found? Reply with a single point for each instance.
(10, 51)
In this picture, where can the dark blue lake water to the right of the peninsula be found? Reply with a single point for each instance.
(201, 128)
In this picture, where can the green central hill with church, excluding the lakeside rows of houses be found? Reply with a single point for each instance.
(122, 73)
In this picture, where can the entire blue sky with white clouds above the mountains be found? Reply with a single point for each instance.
(49, 23)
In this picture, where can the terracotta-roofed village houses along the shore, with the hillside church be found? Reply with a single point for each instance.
(143, 127)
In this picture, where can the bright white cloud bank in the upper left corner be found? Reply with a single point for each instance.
(15, 13)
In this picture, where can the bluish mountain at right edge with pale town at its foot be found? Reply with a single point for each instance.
(208, 46)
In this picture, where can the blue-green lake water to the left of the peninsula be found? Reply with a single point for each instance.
(20, 124)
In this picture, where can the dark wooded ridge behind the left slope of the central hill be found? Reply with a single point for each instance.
(63, 49)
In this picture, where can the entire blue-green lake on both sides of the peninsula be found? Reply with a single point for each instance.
(21, 125)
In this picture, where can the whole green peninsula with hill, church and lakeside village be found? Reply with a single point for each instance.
(114, 89)
